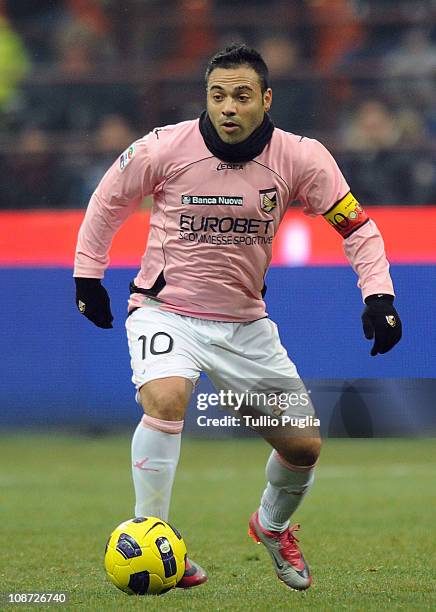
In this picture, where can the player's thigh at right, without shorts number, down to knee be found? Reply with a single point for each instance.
(268, 392)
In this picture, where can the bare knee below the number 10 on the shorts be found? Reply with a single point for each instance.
(164, 401)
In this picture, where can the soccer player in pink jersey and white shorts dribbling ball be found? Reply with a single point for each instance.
(221, 185)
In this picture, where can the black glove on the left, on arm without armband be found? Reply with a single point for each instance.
(93, 301)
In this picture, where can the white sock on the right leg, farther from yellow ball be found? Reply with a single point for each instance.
(287, 485)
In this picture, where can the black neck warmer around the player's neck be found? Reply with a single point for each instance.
(243, 151)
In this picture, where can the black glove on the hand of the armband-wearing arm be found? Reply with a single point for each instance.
(381, 322)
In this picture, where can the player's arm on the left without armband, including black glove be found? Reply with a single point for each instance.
(119, 193)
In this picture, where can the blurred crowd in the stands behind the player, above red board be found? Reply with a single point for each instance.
(81, 79)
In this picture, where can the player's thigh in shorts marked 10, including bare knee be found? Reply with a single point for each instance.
(163, 360)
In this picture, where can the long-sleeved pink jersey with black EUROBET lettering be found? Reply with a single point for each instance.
(213, 223)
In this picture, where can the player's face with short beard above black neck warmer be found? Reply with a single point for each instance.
(235, 103)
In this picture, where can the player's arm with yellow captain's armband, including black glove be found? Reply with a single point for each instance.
(324, 191)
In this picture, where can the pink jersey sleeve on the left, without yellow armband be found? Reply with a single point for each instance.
(134, 175)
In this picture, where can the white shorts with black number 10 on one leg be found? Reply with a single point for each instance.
(238, 356)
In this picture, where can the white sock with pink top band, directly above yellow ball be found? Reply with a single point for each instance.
(155, 455)
